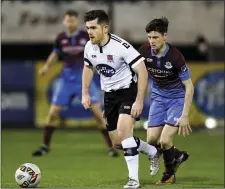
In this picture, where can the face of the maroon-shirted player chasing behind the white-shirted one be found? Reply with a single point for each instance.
(156, 39)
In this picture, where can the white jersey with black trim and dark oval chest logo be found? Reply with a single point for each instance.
(114, 62)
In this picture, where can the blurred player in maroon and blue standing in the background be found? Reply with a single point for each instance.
(70, 46)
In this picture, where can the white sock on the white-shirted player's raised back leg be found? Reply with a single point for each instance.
(145, 148)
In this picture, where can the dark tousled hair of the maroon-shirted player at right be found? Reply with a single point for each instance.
(160, 25)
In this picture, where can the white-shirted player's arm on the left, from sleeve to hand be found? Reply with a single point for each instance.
(87, 77)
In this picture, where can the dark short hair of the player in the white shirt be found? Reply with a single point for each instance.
(99, 14)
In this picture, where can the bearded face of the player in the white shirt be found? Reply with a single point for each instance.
(96, 31)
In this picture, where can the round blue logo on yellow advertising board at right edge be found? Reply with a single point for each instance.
(209, 94)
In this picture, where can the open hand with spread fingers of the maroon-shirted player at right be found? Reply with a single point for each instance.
(184, 126)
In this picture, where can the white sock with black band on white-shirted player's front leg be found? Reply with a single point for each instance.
(131, 156)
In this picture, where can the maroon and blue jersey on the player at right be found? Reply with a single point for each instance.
(167, 72)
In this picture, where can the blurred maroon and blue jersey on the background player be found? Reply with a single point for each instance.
(71, 50)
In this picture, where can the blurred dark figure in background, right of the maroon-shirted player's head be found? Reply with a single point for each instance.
(202, 49)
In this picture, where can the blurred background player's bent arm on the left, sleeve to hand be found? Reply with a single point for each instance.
(52, 58)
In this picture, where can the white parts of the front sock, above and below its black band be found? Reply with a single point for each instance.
(132, 161)
